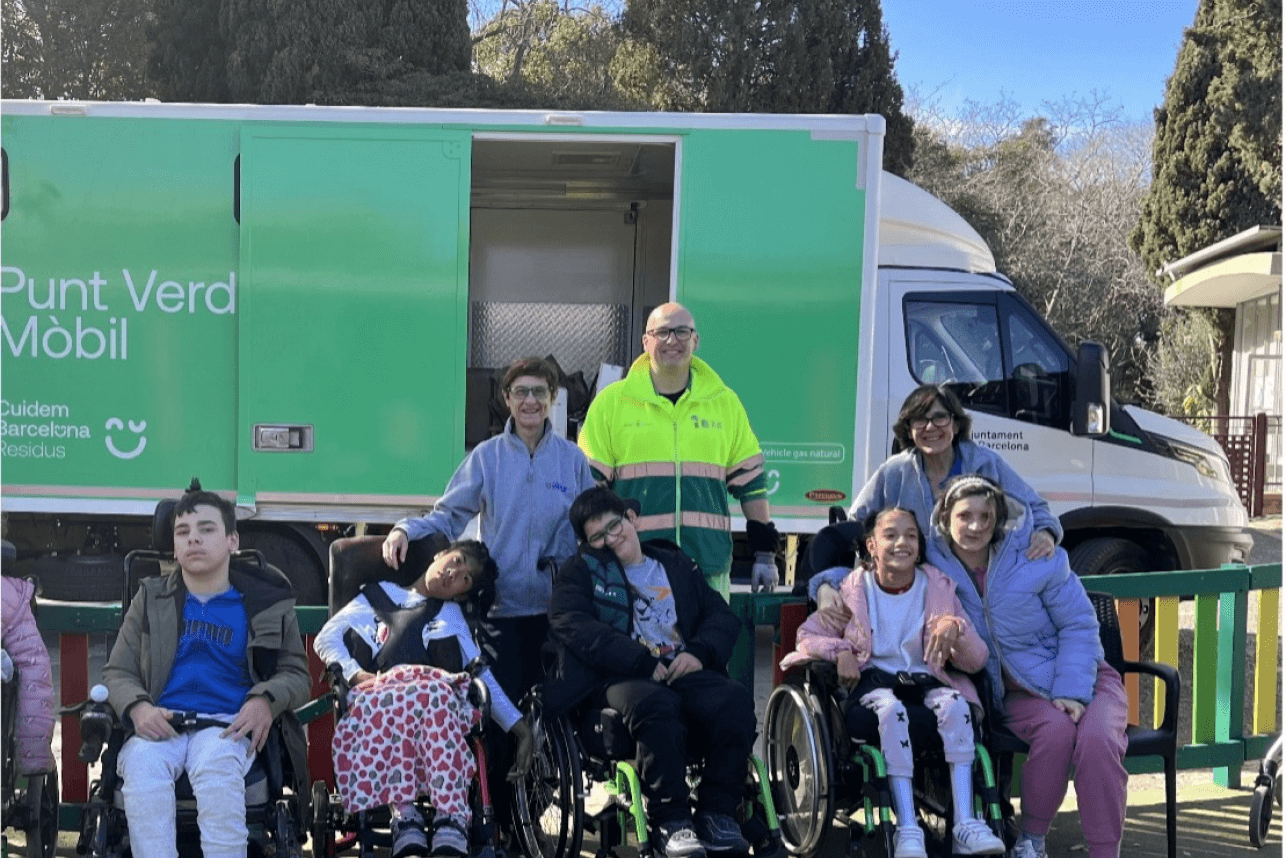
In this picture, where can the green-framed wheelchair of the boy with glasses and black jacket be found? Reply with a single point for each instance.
(550, 802)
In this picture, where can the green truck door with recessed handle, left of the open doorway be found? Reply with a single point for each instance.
(353, 329)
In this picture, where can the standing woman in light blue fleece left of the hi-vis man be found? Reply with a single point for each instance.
(523, 483)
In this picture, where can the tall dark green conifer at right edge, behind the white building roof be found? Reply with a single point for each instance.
(1217, 159)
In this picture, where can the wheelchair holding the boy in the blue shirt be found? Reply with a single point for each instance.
(276, 787)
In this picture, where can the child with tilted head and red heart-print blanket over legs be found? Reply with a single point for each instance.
(406, 655)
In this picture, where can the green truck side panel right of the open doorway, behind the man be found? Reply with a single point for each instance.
(772, 228)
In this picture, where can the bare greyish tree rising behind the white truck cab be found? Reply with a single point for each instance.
(1055, 196)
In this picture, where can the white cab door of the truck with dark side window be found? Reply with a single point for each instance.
(1014, 376)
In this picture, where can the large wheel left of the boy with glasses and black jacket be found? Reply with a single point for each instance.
(550, 801)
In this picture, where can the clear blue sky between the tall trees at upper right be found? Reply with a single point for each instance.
(1038, 51)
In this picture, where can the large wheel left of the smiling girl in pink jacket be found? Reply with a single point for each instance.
(801, 769)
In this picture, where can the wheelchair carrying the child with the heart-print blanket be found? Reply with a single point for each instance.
(356, 563)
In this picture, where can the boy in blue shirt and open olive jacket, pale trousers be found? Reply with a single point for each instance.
(210, 639)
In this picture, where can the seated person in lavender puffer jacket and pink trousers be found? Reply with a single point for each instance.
(1049, 676)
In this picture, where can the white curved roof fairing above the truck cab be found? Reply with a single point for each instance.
(920, 231)
